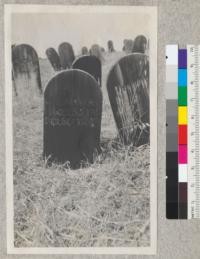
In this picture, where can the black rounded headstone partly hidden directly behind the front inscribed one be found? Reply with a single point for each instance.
(89, 64)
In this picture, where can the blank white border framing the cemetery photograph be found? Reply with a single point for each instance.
(21, 8)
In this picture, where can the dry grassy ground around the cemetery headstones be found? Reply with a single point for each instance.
(106, 204)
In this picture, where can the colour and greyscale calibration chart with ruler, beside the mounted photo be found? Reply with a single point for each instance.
(183, 132)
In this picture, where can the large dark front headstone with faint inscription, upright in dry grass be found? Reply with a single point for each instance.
(72, 118)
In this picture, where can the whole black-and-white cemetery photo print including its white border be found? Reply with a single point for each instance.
(81, 129)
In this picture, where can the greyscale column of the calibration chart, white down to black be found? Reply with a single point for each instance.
(172, 131)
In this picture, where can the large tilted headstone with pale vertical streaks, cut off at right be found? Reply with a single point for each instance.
(128, 90)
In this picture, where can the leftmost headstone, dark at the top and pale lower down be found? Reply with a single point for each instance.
(26, 69)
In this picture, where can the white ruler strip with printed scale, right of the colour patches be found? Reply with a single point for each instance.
(193, 131)
